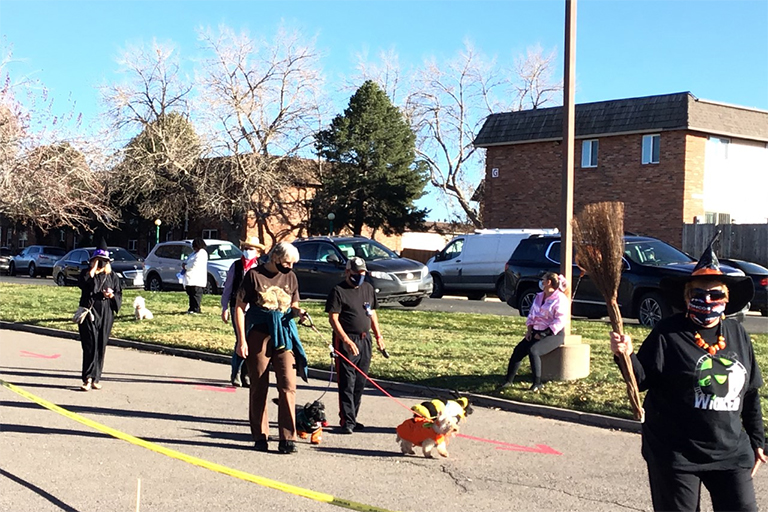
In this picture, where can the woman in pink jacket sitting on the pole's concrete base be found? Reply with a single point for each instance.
(545, 323)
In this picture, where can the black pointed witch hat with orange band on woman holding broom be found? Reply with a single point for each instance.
(740, 288)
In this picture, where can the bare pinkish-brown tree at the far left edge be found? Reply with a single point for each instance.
(48, 177)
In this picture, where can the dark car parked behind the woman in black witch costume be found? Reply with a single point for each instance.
(129, 268)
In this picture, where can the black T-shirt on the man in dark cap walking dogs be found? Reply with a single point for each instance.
(353, 305)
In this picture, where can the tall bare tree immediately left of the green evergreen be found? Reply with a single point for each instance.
(263, 103)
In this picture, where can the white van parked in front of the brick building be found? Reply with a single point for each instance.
(473, 264)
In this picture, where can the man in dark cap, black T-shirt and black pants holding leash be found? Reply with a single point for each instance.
(351, 308)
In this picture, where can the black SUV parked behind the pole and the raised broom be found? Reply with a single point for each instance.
(646, 261)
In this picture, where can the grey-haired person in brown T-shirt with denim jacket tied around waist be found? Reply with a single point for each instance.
(267, 334)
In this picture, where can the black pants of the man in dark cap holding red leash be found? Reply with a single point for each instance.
(351, 382)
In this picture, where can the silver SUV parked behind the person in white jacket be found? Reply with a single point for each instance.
(164, 262)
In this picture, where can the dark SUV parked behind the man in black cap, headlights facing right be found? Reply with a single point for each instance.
(395, 279)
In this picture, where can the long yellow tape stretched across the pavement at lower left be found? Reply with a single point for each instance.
(266, 482)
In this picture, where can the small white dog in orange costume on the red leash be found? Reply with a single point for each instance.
(430, 434)
